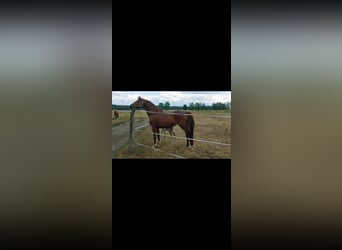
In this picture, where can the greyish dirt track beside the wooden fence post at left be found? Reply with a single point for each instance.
(120, 135)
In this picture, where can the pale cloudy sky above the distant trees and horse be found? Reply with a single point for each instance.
(175, 98)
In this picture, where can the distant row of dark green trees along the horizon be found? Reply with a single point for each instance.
(190, 106)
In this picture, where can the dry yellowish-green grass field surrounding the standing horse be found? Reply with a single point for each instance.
(212, 129)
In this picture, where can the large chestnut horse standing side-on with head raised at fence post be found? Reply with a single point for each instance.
(160, 119)
